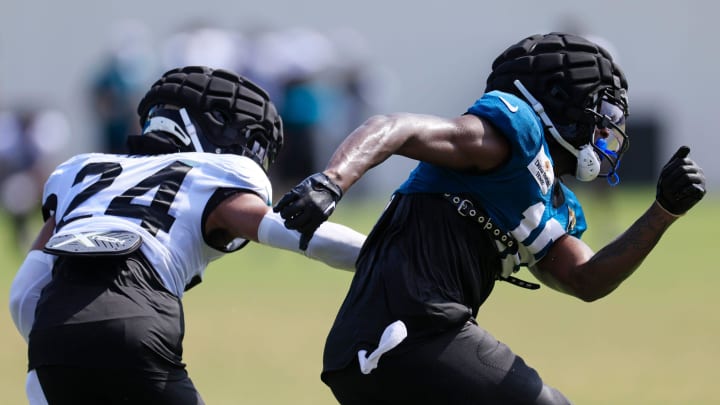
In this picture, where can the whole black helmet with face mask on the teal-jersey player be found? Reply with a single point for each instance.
(579, 92)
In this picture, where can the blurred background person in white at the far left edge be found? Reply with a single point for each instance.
(33, 140)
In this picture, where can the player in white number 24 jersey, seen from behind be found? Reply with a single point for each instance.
(126, 235)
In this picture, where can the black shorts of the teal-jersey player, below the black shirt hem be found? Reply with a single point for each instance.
(466, 365)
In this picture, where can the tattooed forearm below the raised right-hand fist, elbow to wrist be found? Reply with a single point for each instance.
(614, 263)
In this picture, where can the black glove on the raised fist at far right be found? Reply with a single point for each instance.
(681, 184)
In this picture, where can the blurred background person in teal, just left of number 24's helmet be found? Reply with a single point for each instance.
(119, 83)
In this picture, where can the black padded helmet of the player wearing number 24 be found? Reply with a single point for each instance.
(199, 109)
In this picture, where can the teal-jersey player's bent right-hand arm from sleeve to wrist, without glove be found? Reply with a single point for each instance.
(571, 267)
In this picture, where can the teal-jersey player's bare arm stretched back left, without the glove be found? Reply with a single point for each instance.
(464, 143)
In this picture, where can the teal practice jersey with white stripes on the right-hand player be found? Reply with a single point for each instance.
(522, 196)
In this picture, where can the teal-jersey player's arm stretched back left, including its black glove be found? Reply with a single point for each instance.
(463, 143)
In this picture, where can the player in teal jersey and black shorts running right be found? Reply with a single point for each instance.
(485, 200)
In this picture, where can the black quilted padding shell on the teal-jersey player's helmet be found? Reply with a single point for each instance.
(566, 74)
